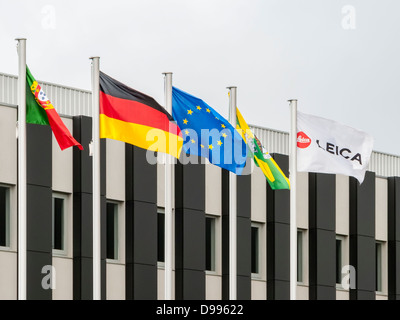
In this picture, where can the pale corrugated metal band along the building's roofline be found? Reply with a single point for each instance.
(72, 101)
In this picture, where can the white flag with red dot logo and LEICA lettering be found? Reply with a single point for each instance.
(327, 146)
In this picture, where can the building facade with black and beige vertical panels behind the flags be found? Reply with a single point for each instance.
(348, 234)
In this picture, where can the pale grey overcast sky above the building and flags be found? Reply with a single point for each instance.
(340, 59)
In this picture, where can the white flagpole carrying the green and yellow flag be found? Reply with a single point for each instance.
(232, 208)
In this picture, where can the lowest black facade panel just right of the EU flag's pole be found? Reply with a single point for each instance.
(190, 285)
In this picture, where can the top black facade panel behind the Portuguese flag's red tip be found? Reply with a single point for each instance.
(83, 169)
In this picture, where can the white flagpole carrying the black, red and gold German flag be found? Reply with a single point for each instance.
(96, 179)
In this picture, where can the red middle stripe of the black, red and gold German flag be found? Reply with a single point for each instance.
(135, 112)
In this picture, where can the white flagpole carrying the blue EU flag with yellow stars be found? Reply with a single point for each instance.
(168, 197)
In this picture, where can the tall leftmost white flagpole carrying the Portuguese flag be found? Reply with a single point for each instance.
(22, 198)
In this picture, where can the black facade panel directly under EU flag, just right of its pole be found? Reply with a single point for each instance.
(190, 186)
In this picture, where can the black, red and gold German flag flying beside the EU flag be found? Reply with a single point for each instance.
(130, 116)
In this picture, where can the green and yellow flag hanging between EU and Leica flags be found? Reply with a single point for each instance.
(276, 178)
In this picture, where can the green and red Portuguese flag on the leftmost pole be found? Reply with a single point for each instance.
(39, 110)
